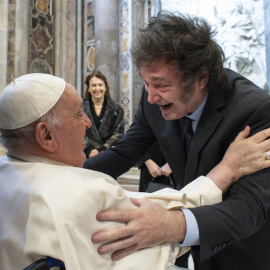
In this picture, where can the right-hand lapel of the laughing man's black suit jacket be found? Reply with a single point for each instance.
(210, 119)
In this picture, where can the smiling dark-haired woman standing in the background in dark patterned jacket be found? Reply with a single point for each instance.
(106, 116)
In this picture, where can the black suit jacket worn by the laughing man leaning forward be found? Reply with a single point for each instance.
(244, 210)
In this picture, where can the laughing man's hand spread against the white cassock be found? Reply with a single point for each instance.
(146, 226)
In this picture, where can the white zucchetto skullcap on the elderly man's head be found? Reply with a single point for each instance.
(28, 98)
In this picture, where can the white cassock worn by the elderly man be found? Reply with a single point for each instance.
(50, 210)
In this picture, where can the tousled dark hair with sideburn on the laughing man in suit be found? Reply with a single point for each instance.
(186, 39)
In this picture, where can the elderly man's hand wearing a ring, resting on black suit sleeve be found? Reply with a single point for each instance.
(244, 156)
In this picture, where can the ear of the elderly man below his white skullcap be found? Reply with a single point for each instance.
(45, 137)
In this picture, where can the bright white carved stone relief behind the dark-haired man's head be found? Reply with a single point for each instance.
(240, 26)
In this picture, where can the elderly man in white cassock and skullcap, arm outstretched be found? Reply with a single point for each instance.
(48, 203)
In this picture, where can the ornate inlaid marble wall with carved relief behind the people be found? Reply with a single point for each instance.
(58, 37)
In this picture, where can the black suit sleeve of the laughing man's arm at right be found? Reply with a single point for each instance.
(244, 208)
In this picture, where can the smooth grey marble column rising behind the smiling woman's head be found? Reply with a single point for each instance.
(107, 42)
